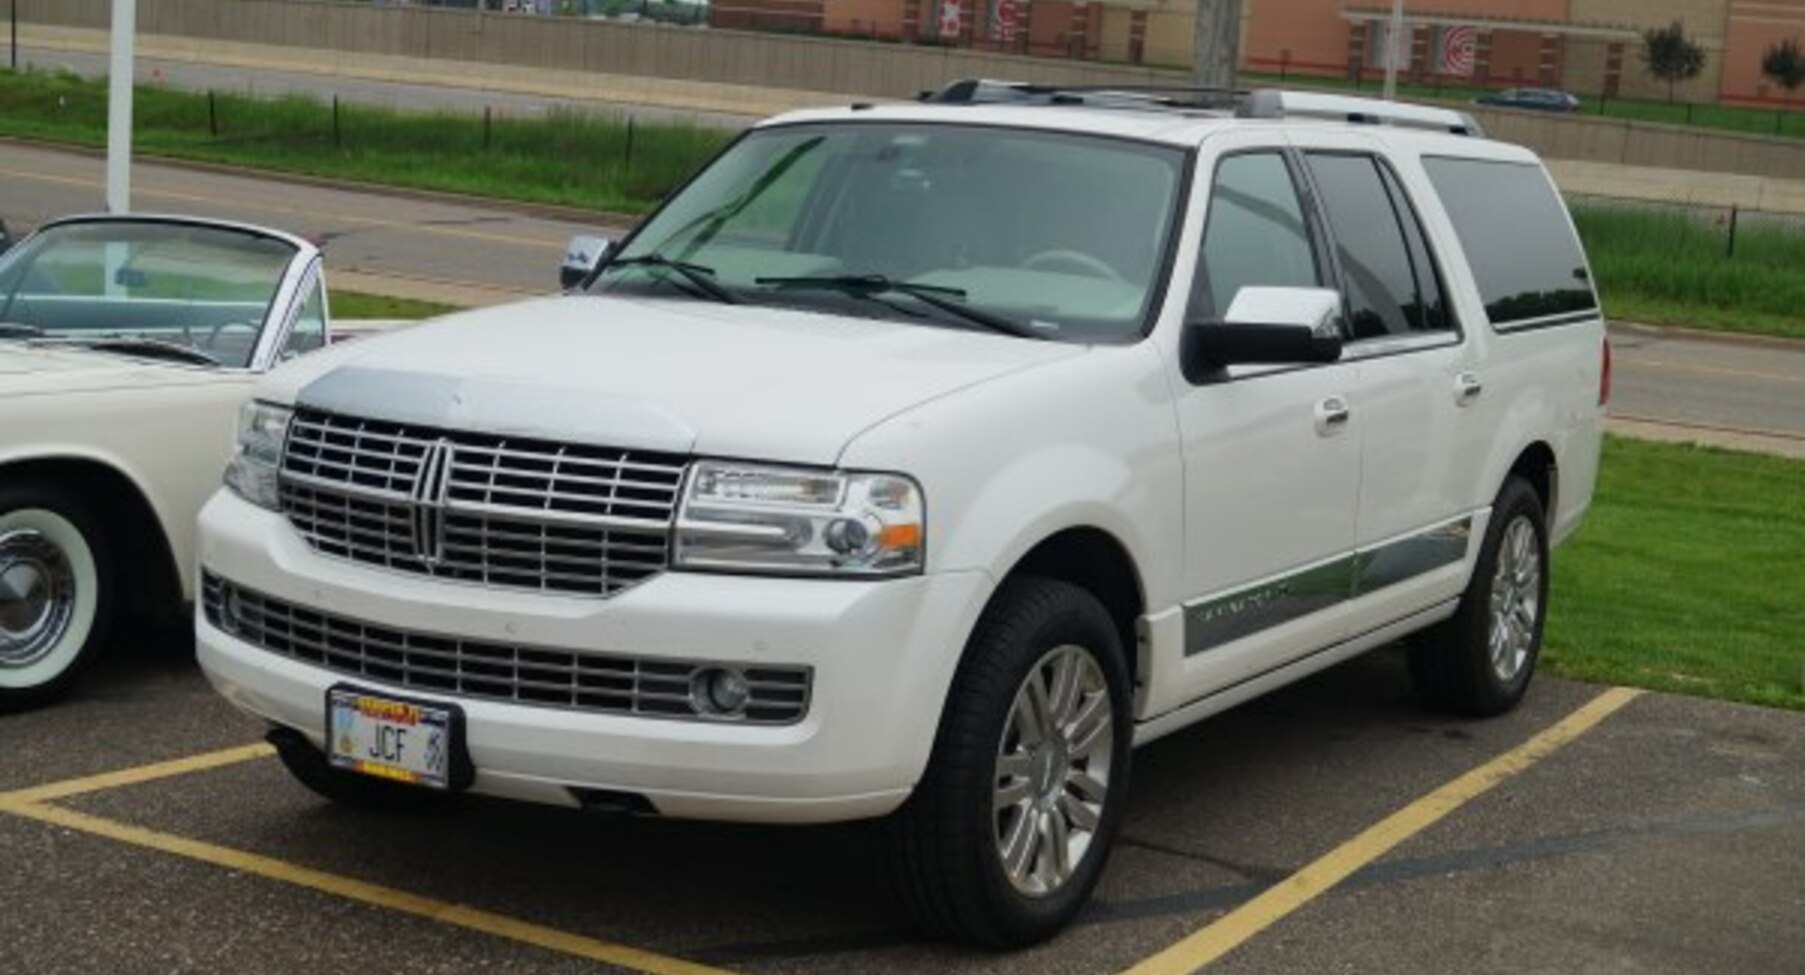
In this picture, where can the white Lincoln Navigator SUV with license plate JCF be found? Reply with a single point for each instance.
(920, 463)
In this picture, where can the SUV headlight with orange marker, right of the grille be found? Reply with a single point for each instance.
(791, 521)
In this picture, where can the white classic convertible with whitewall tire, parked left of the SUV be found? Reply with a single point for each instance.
(127, 346)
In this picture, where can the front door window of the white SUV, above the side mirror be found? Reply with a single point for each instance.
(1255, 236)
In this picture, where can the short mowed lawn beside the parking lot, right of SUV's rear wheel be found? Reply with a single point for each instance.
(1687, 577)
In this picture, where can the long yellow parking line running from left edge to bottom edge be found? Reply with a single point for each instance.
(430, 909)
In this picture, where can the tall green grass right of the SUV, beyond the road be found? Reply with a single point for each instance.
(1672, 268)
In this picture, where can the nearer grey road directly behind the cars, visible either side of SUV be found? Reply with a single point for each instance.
(470, 254)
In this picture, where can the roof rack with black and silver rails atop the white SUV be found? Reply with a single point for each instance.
(1263, 104)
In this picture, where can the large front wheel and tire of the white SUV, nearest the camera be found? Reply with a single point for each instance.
(990, 790)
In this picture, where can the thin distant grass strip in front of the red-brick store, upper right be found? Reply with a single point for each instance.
(1728, 118)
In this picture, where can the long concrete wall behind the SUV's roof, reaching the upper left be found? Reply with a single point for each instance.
(638, 50)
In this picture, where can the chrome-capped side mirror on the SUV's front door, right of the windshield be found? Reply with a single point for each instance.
(1266, 326)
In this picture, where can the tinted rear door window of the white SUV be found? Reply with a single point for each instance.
(1382, 281)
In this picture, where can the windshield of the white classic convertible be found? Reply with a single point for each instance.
(199, 288)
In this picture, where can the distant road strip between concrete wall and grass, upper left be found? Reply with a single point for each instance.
(362, 91)
